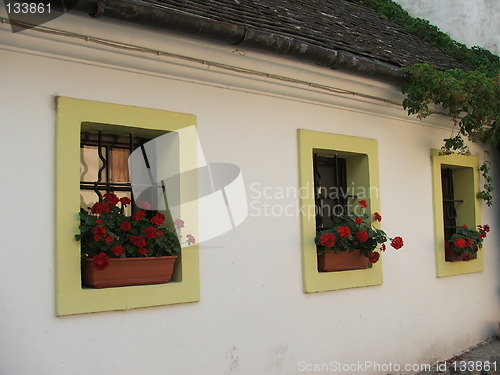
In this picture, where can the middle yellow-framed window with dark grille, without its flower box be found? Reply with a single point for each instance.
(348, 166)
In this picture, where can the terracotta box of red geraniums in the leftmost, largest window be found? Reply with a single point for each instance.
(118, 250)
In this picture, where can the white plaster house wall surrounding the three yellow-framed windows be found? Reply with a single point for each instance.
(253, 317)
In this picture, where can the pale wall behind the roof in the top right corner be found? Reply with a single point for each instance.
(471, 22)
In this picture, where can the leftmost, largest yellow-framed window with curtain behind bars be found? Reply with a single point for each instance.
(75, 118)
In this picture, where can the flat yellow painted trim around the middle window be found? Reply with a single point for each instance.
(359, 149)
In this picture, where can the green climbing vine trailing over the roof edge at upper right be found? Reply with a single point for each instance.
(471, 95)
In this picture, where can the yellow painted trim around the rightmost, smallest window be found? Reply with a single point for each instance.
(467, 188)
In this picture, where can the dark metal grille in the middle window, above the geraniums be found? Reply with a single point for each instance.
(330, 187)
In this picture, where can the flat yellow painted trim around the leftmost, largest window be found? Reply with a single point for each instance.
(71, 298)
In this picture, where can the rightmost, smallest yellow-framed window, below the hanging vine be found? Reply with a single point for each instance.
(455, 186)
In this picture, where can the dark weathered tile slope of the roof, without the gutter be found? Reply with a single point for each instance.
(346, 25)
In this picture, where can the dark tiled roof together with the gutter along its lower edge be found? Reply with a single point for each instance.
(340, 34)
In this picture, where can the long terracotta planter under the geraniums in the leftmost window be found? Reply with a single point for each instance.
(128, 271)
